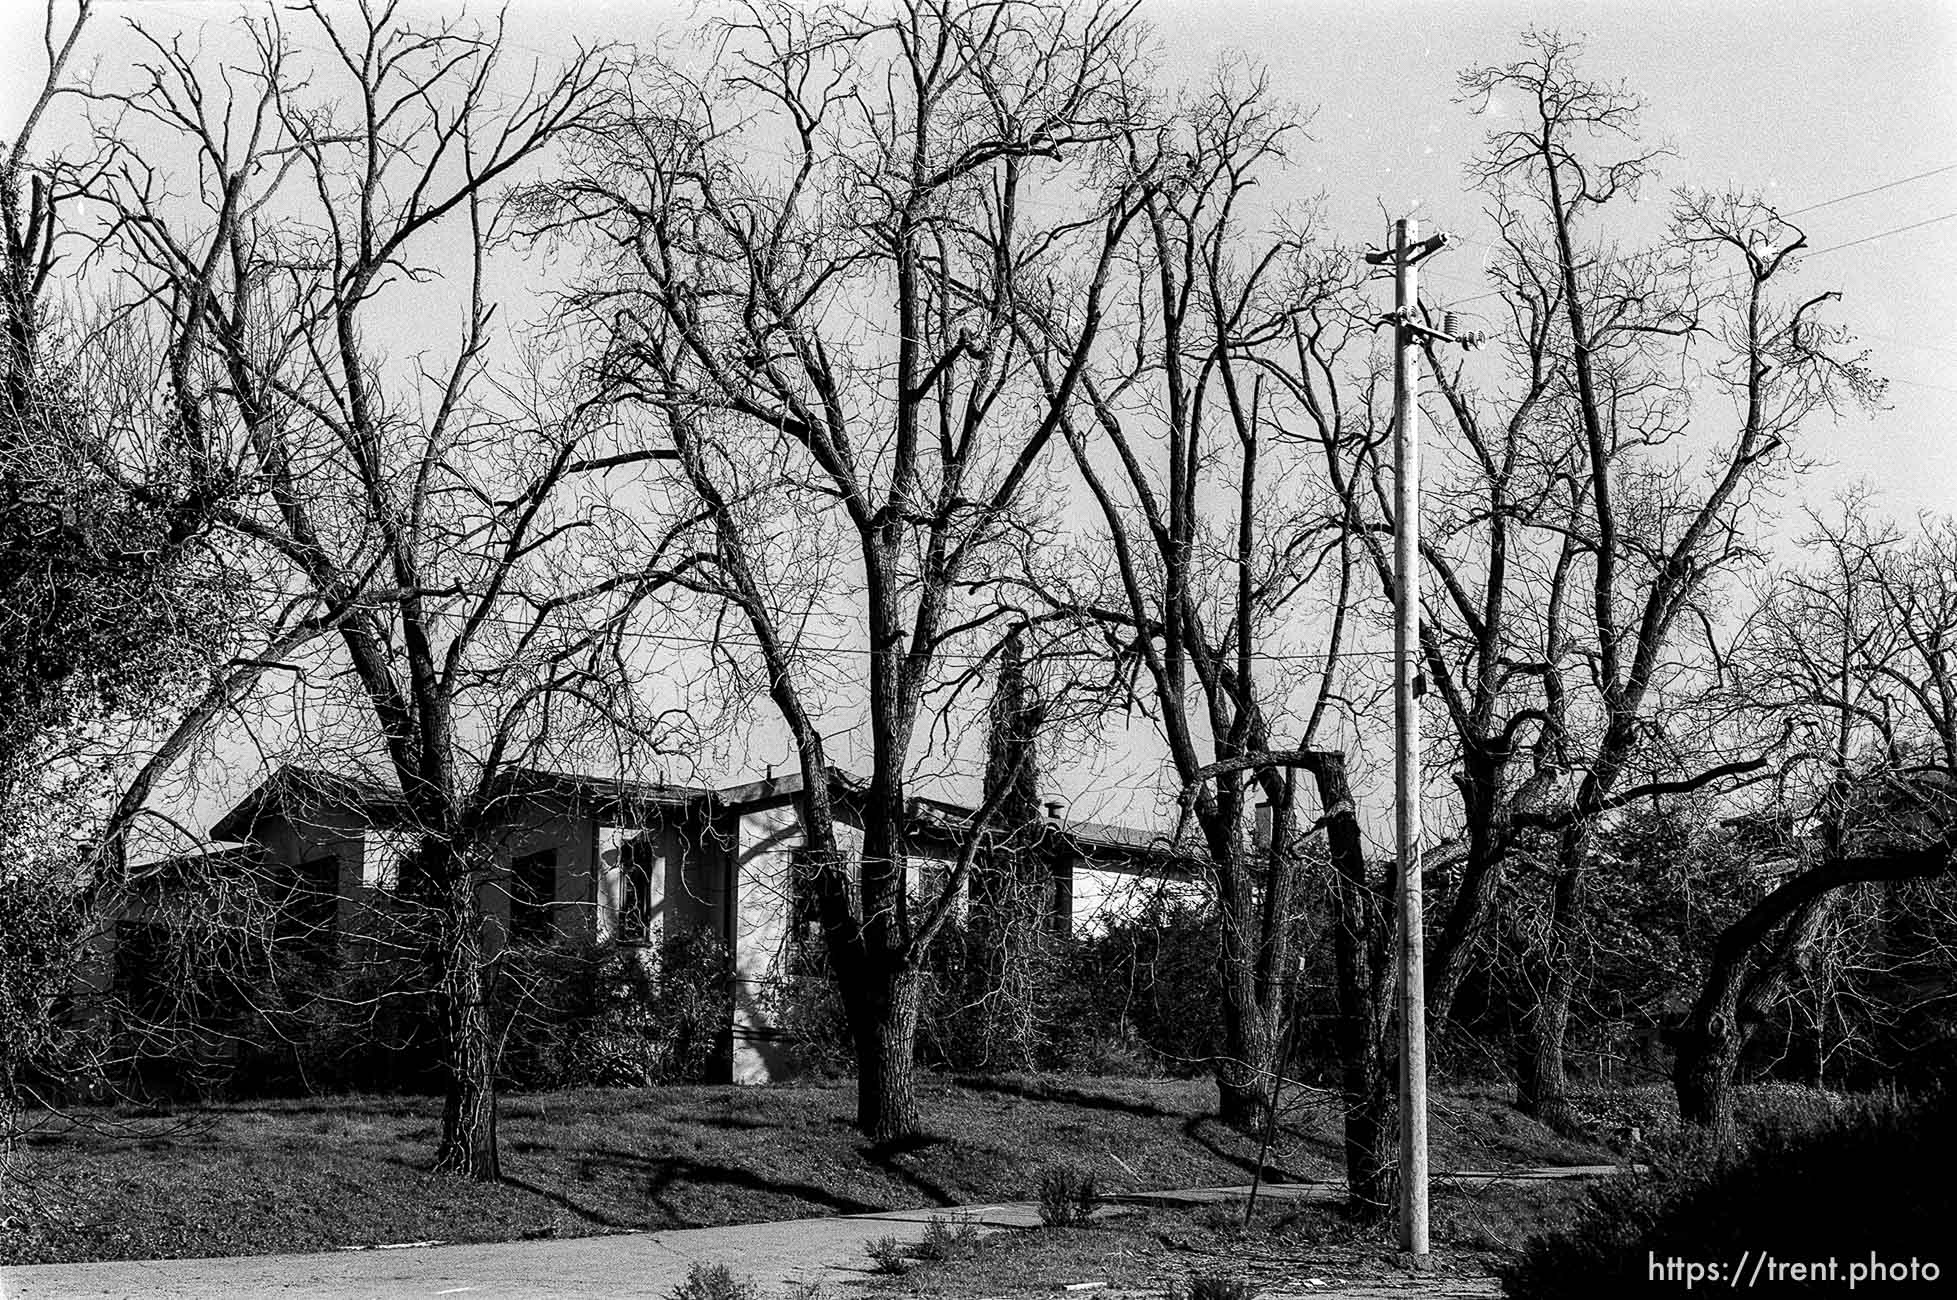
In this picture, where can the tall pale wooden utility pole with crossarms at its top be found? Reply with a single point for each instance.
(1408, 684)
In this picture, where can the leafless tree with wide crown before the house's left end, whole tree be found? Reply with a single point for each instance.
(416, 506)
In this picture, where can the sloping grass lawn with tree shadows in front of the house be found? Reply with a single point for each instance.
(340, 1172)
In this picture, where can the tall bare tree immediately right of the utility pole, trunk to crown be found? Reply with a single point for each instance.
(1647, 537)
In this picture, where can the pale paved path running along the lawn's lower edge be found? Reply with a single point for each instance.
(641, 1264)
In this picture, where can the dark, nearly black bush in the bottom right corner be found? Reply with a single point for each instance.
(1803, 1185)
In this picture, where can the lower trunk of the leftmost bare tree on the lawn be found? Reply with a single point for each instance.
(469, 1109)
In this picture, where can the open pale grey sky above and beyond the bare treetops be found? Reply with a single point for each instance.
(1841, 113)
